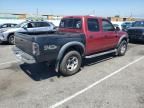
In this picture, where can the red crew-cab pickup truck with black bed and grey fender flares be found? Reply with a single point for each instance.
(78, 37)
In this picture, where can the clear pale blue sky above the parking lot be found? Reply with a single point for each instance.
(103, 8)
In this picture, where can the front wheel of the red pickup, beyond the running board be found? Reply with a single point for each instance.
(121, 50)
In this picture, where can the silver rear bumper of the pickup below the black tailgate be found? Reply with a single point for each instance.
(26, 58)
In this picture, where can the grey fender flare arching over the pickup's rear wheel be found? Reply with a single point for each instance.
(64, 48)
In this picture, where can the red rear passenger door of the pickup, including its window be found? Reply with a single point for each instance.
(94, 38)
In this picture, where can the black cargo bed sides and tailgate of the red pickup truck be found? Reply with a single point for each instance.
(24, 42)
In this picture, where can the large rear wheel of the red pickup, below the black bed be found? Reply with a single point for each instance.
(70, 63)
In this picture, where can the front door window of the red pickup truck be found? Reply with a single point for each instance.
(107, 26)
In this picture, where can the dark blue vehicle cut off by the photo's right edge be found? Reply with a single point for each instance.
(136, 32)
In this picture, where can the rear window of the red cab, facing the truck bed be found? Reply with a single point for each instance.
(74, 23)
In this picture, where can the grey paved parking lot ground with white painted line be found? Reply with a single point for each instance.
(110, 82)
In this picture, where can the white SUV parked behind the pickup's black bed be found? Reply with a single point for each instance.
(26, 26)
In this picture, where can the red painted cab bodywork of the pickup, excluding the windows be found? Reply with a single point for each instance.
(95, 41)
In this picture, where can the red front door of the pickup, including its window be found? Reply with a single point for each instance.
(109, 33)
